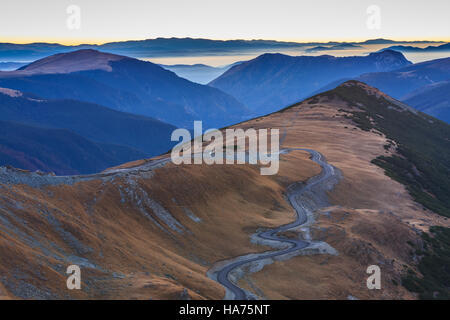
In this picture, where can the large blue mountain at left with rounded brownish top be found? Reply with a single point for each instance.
(125, 84)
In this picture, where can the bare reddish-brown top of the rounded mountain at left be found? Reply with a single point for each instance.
(80, 60)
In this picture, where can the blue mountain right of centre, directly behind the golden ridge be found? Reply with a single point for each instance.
(272, 81)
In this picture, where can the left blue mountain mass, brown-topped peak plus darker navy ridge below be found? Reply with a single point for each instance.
(85, 111)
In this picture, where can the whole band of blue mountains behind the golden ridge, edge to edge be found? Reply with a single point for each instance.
(120, 109)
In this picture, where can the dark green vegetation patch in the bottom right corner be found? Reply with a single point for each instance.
(434, 266)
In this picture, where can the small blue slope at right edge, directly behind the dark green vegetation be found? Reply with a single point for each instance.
(433, 99)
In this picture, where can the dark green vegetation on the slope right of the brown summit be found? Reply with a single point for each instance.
(422, 162)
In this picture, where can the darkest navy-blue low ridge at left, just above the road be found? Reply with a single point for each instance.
(57, 150)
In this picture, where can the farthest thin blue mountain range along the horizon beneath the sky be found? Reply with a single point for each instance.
(167, 47)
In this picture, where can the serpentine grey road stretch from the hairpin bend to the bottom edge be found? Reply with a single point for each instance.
(326, 179)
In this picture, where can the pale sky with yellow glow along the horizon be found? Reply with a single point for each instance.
(99, 21)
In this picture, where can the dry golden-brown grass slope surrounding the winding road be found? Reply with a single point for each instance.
(154, 235)
